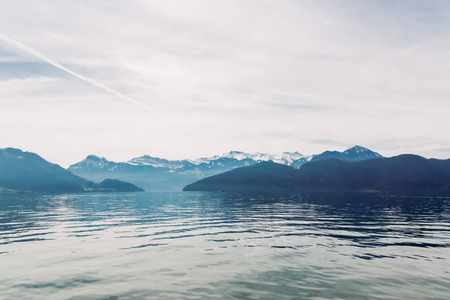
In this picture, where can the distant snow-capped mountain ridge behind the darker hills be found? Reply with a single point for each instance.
(159, 174)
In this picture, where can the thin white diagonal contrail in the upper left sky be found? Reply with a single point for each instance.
(41, 56)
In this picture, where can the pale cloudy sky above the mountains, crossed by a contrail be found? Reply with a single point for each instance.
(188, 79)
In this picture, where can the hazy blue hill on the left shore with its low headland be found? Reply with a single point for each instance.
(27, 171)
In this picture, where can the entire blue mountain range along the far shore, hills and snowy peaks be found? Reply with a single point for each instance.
(356, 169)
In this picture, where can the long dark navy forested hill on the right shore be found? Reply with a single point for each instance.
(403, 174)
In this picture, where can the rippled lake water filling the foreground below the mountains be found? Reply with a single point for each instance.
(224, 246)
